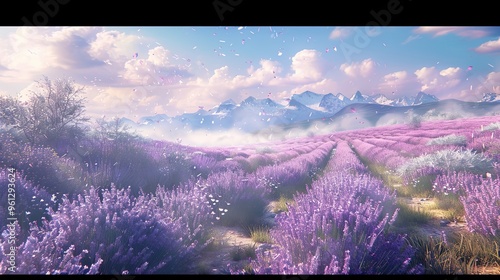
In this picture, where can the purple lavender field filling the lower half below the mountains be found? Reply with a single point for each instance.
(149, 207)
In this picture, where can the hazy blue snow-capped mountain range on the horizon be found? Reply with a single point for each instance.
(253, 115)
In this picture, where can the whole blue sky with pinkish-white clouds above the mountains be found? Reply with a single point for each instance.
(139, 71)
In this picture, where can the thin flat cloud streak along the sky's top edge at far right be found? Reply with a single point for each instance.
(470, 32)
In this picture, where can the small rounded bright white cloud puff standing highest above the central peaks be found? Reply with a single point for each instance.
(307, 66)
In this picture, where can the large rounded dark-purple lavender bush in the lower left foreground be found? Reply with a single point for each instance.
(113, 235)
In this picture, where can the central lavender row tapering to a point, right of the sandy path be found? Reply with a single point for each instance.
(338, 226)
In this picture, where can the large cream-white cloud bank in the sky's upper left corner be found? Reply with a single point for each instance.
(30, 52)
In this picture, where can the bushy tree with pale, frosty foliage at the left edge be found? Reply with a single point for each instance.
(52, 114)
